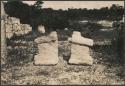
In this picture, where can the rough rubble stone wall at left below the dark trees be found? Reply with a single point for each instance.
(13, 26)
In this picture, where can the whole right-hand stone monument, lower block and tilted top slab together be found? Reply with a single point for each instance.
(80, 53)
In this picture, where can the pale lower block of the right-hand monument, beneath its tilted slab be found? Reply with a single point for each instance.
(80, 55)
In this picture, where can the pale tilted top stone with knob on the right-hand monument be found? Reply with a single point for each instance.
(78, 39)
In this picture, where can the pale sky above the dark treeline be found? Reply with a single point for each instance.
(77, 4)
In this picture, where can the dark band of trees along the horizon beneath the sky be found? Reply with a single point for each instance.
(58, 19)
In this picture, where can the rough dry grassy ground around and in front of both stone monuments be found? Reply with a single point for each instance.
(21, 71)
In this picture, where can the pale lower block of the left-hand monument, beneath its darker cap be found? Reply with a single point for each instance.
(48, 54)
